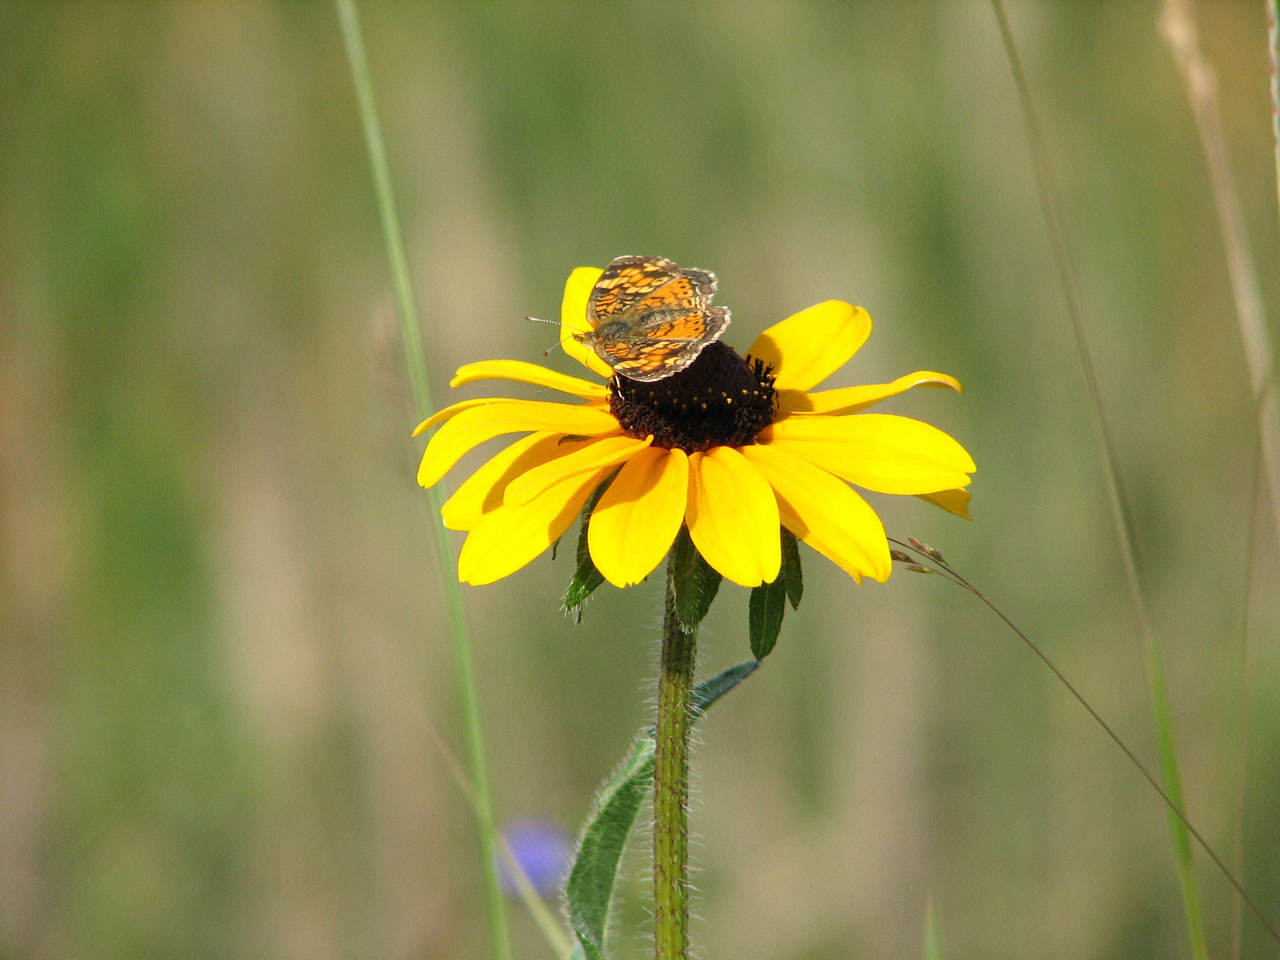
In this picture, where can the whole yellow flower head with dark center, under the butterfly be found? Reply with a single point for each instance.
(733, 449)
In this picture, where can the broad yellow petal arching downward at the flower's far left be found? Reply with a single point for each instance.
(472, 428)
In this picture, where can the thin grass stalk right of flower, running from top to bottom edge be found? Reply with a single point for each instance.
(1122, 513)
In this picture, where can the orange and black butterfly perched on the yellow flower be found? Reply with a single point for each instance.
(652, 318)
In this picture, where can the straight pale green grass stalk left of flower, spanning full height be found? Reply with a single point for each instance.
(420, 386)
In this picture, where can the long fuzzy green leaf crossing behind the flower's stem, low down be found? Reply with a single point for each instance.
(591, 884)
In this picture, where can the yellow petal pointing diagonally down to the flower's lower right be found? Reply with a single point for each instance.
(825, 513)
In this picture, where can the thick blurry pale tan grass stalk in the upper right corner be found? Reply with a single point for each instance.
(1180, 30)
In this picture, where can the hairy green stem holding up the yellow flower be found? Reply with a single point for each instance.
(671, 783)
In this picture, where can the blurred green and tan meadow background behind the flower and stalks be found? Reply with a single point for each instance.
(223, 646)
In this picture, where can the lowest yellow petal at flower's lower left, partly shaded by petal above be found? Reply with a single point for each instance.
(508, 538)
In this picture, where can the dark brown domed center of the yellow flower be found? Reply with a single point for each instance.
(720, 400)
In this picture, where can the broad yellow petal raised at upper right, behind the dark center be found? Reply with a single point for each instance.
(808, 348)
